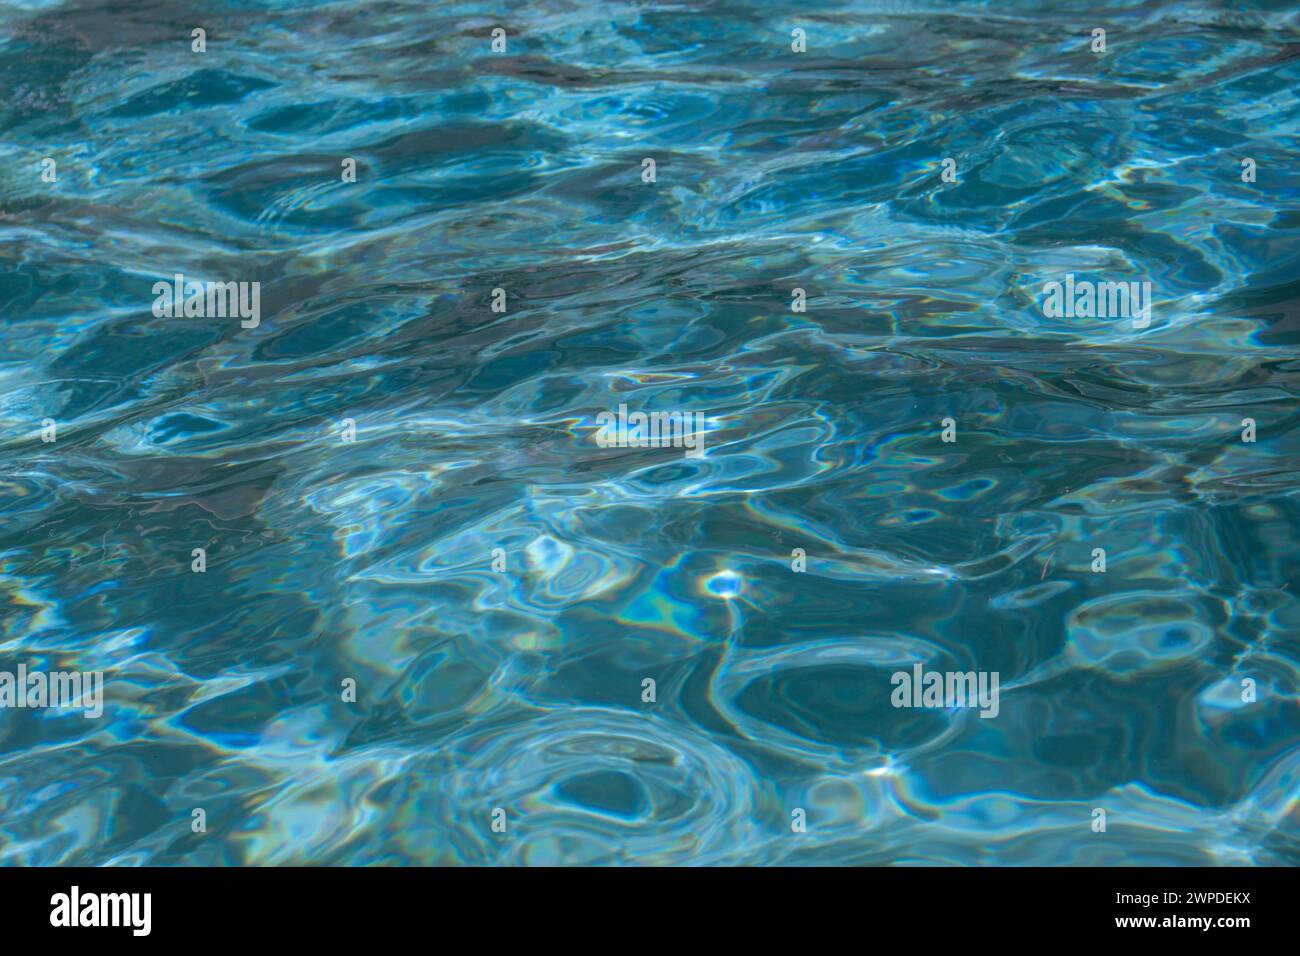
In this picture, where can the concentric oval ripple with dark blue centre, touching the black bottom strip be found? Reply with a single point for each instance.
(596, 786)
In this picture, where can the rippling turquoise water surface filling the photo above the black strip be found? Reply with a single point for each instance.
(772, 737)
